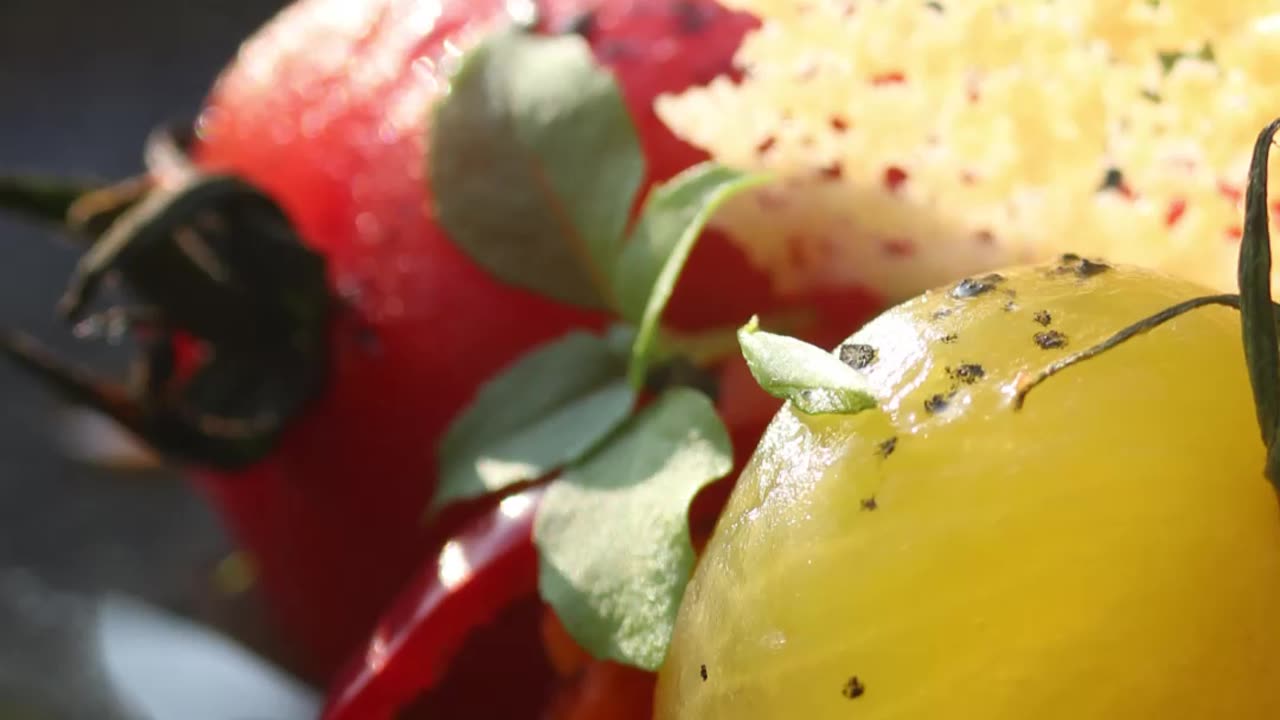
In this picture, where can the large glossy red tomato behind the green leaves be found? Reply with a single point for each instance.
(327, 111)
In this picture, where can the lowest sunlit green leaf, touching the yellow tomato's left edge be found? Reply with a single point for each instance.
(618, 584)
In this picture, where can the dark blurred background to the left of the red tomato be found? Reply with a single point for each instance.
(81, 85)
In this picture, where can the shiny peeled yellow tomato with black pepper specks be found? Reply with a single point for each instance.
(1110, 552)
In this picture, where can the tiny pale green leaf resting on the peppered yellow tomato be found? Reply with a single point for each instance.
(813, 380)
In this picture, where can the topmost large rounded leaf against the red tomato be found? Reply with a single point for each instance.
(536, 165)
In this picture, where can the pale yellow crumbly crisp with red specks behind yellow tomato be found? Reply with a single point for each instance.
(913, 143)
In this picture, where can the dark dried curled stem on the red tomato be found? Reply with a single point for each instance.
(208, 258)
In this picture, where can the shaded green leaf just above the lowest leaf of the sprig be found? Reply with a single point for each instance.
(548, 409)
